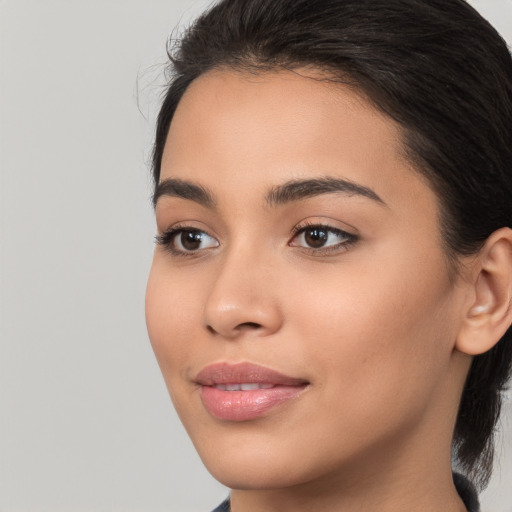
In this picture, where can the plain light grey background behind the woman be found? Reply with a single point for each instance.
(85, 421)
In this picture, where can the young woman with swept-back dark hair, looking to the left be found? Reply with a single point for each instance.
(330, 295)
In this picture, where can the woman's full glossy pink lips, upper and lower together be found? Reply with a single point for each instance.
(245, 405)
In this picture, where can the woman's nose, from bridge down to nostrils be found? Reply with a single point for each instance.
(243, 298)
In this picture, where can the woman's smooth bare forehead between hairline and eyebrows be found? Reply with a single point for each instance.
(234, 129)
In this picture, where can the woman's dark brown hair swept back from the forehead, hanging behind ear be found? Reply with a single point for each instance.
(434, 66)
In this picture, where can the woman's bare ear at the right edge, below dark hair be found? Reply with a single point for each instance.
(488, 313)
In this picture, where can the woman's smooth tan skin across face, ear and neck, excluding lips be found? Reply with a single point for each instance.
(367, 309)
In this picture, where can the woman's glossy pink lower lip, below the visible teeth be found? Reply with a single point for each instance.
(246, 405)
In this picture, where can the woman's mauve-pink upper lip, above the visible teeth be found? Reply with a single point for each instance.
(239, 373)
